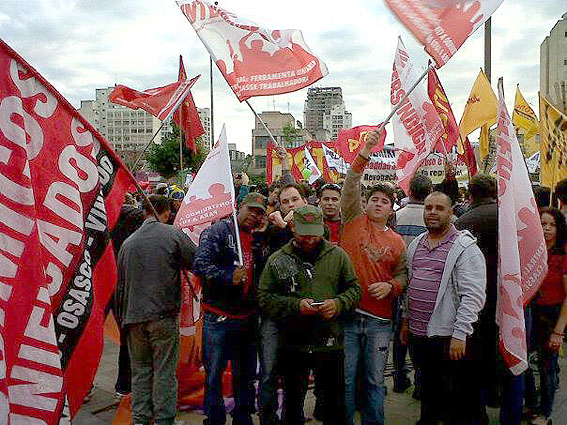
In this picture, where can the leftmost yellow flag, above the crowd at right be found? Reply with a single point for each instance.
(481, 108)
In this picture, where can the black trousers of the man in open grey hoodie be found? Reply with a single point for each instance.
(449, 391)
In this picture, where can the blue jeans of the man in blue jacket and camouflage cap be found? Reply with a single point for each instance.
(229, 339)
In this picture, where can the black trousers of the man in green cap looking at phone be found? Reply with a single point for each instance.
(329, 370)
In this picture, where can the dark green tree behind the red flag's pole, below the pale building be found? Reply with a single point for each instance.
(164, 158)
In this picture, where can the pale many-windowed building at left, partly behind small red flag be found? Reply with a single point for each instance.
(127, 130)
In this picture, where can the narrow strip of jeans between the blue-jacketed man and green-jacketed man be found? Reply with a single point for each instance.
(267, 397)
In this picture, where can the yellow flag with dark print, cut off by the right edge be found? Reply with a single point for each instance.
(553, 126)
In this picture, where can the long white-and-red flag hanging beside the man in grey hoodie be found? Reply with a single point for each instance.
(522, 247)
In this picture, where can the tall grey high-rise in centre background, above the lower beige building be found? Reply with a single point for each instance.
(319, 101)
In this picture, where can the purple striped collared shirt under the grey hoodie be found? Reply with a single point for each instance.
(427, 270)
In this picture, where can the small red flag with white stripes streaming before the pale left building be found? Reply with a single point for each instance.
(161, 102)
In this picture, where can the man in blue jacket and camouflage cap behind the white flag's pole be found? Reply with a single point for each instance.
(229, 303)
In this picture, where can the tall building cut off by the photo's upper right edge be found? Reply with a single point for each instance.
(553, 64)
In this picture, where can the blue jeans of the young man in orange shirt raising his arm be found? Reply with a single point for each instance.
(366, 344)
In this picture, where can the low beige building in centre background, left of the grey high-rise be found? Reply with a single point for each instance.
(284, 129)
